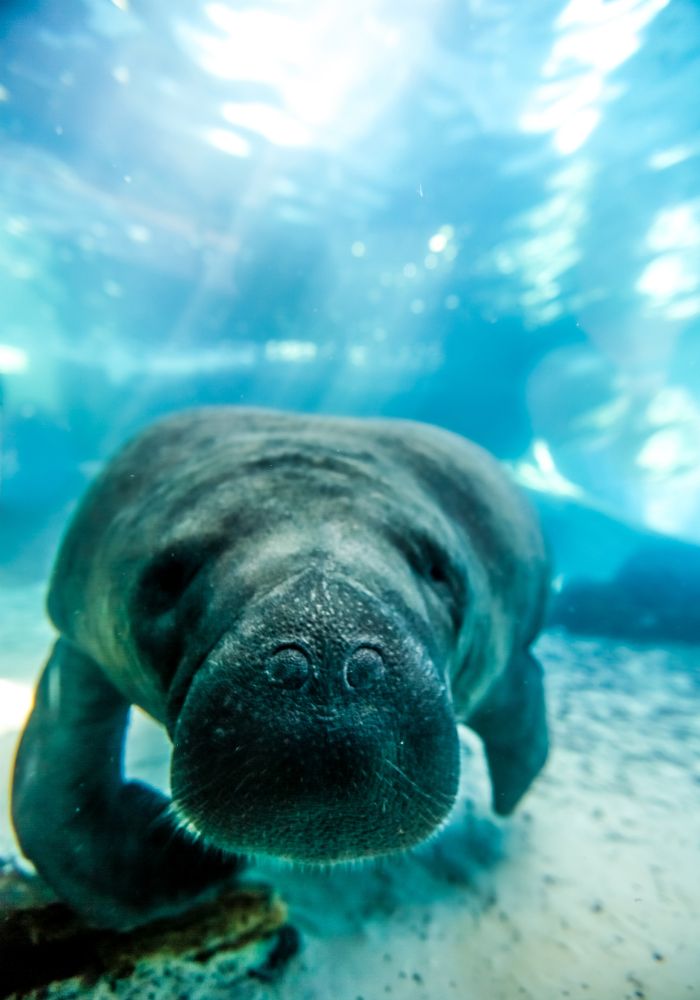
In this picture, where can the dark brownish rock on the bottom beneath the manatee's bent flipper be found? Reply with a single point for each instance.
(47, 951)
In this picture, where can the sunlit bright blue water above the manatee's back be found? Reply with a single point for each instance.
(481, 215)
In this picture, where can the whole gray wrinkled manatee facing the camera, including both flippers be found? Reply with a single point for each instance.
(309, 605)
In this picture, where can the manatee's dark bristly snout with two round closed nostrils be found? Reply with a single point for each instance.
(319, 730)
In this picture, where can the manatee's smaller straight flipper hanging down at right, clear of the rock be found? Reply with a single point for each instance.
(513, 726)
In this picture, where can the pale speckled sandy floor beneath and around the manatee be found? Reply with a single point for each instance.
(591, 890)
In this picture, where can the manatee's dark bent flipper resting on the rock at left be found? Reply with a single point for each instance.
(108, 847)
